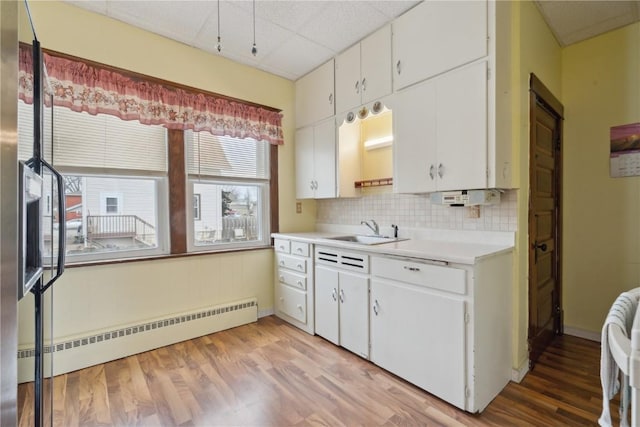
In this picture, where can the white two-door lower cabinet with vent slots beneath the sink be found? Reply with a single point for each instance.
(342, 300)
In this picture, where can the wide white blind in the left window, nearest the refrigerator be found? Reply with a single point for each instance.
(101, 141)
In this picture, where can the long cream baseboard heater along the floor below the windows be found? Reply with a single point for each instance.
(78, 352)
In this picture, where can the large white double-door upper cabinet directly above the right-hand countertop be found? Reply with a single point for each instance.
(440, 131)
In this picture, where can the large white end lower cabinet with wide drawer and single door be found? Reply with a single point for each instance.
(444, 328)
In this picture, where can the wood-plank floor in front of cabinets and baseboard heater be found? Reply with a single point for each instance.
(271, 374)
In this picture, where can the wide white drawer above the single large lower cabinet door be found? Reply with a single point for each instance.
(431, 276)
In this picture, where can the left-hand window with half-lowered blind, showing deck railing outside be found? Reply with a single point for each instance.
(115, 184)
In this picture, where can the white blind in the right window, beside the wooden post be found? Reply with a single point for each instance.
(223, 156)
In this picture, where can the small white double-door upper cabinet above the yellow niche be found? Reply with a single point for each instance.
(363, 72)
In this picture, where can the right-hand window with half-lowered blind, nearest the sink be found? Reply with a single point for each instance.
(230, 176)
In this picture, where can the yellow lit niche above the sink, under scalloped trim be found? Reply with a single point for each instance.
(365, 151)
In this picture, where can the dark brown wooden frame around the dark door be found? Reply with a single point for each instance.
(539, 94)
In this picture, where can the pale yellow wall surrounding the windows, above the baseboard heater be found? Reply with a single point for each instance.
(100, 297)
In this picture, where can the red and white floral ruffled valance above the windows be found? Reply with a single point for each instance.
(82, 86)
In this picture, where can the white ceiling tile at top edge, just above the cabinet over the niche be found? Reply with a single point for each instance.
(342, 24)
